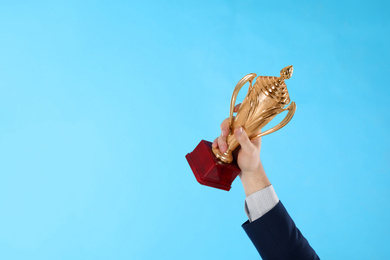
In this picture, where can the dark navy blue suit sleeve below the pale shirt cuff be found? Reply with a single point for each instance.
(275, 236)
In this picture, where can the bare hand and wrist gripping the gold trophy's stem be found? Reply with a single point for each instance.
(252, 173)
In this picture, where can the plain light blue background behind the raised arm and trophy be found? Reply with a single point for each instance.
(101, 100)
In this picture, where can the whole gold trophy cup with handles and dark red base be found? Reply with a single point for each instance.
(266, 98)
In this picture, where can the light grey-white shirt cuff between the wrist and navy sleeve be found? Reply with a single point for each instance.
(260, 202)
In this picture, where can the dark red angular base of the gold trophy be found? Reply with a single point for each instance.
(208, 170)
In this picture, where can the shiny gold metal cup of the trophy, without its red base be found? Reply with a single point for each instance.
(264, 100)
